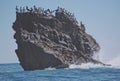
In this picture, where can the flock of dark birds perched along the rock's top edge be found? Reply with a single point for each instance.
(48, 12)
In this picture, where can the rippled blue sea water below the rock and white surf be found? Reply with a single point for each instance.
(14, 72)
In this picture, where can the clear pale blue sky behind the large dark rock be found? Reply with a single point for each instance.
(101, 18)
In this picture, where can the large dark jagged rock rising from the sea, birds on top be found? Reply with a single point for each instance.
(51, 39)
